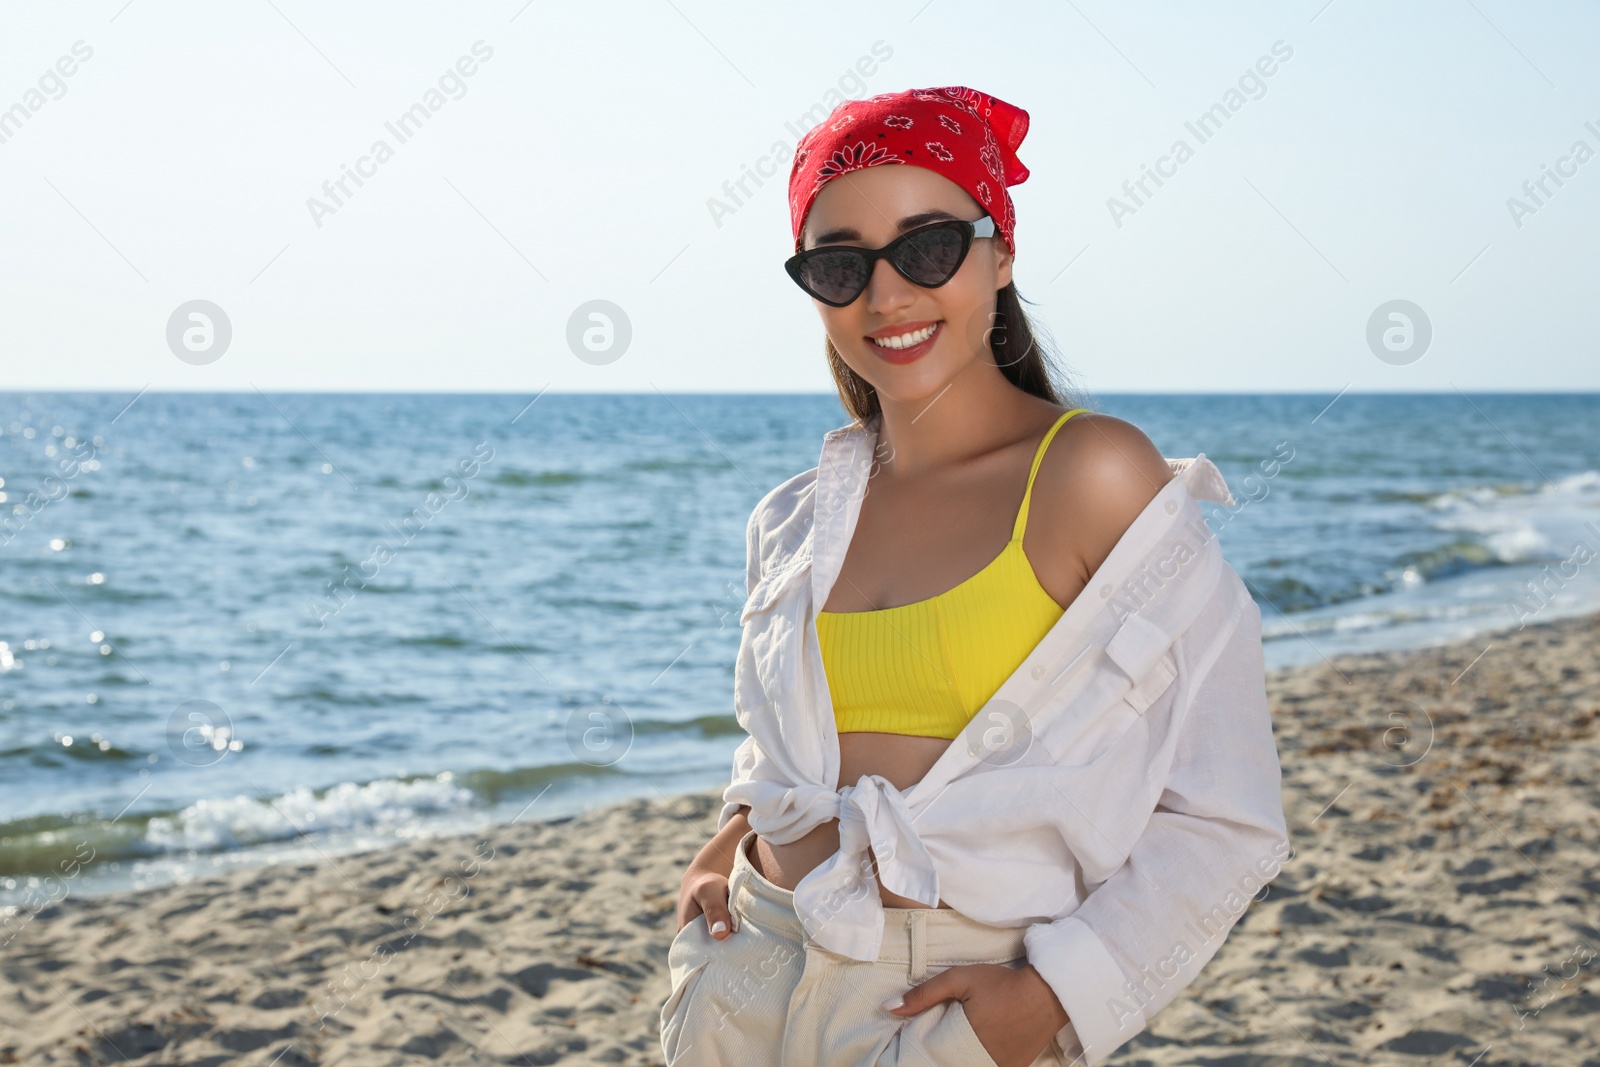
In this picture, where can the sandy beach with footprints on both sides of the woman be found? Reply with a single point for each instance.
(1442, 906)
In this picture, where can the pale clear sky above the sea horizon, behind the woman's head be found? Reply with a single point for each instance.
(582, 158)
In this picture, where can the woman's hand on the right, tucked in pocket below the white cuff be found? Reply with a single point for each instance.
(1012, 1010)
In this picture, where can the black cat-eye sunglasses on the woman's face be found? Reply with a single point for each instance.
(927, 257)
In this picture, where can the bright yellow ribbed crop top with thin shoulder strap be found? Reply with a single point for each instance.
(929, 666)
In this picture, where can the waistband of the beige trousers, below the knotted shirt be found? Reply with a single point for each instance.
(916, 937)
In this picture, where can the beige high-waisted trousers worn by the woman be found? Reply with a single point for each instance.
(767, 996)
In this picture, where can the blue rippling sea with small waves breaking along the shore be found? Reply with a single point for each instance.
(262, 628)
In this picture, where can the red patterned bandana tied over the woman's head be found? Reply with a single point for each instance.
(966, 135)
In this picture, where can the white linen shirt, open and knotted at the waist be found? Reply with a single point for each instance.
(1119, 796)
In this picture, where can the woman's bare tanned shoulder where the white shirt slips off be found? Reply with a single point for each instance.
(1097, 478)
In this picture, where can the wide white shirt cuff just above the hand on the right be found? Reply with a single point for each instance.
(1090, 986)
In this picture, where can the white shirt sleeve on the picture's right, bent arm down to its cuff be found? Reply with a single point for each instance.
(1215, 839)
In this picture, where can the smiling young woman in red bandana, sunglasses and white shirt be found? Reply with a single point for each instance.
(985, 815)
